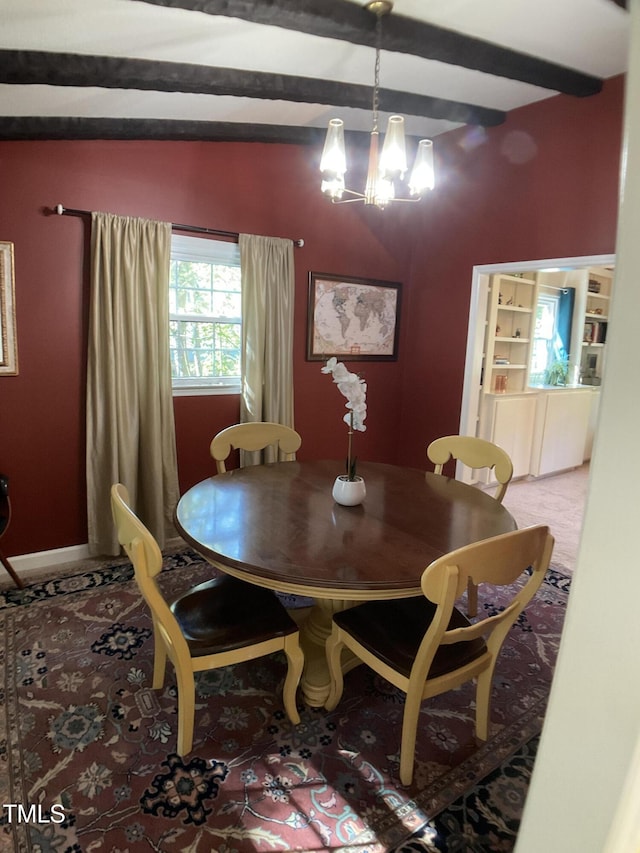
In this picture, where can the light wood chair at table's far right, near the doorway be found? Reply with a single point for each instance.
(474, 453)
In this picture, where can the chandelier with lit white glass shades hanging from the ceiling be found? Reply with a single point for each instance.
(386, 168)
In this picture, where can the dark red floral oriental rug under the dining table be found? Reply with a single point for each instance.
(87, 748)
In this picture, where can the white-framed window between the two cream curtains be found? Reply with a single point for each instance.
(205, 324)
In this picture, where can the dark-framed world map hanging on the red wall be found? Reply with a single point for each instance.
(352, 318)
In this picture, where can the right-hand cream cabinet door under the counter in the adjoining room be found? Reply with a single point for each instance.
(562, 423)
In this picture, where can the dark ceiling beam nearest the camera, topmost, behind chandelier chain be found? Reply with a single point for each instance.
(346, 21)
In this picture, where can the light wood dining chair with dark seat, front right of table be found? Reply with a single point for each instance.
(425, 646)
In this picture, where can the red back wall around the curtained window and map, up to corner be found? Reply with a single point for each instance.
(263, 189)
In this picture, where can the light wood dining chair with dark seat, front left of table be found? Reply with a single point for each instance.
(220, 622)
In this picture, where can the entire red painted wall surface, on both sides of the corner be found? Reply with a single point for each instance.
(562, 201)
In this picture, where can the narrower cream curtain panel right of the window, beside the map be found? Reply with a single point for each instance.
(267, 334)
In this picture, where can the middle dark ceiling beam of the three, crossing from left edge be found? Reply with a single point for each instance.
(69, 69)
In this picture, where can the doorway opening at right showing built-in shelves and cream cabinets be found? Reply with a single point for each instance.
(521, 350)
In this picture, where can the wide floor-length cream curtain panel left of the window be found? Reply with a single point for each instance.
(130, 423)
